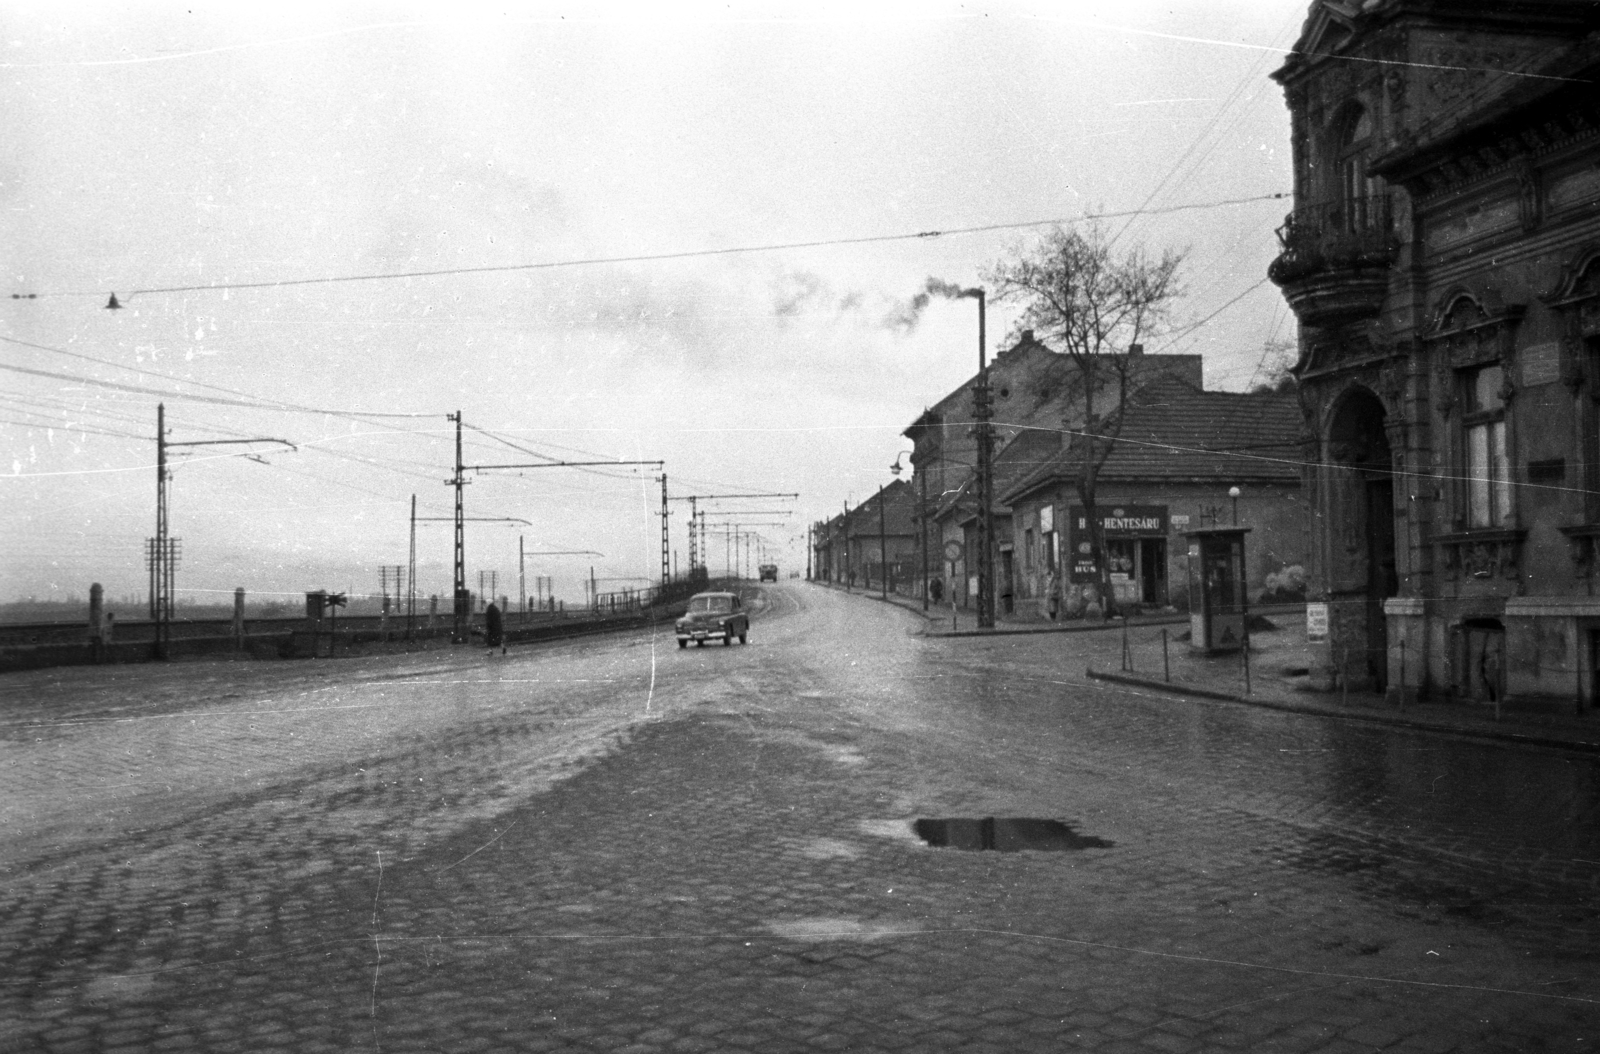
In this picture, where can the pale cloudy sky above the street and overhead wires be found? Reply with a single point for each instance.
(673, 233)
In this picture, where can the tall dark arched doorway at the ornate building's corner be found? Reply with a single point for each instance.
(1362, 535)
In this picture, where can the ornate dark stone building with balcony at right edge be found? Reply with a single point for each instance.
(1444, 260)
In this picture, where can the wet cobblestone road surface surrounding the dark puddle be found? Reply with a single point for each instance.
(618, 847)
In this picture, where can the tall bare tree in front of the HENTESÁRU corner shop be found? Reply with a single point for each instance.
(1095, 306)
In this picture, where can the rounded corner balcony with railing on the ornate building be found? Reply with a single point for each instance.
(1335, 260)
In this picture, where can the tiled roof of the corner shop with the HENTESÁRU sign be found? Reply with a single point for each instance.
(1174, 431)
